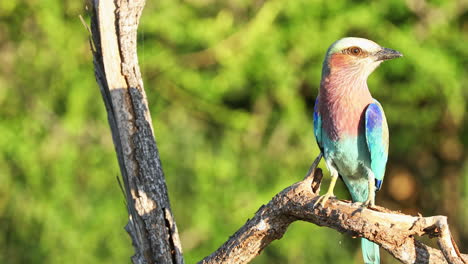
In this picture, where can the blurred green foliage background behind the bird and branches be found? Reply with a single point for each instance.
(231, 86)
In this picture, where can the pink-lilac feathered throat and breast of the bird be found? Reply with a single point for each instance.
(343, 97)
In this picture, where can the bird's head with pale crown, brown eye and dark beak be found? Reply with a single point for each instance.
(356, 56)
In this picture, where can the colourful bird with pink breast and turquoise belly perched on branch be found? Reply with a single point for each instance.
(350, 126)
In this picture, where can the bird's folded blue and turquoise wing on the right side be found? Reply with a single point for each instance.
(377, 140)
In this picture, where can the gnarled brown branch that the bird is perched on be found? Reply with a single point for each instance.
(393, 231)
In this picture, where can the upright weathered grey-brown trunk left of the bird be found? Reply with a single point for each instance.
(151, 224)
